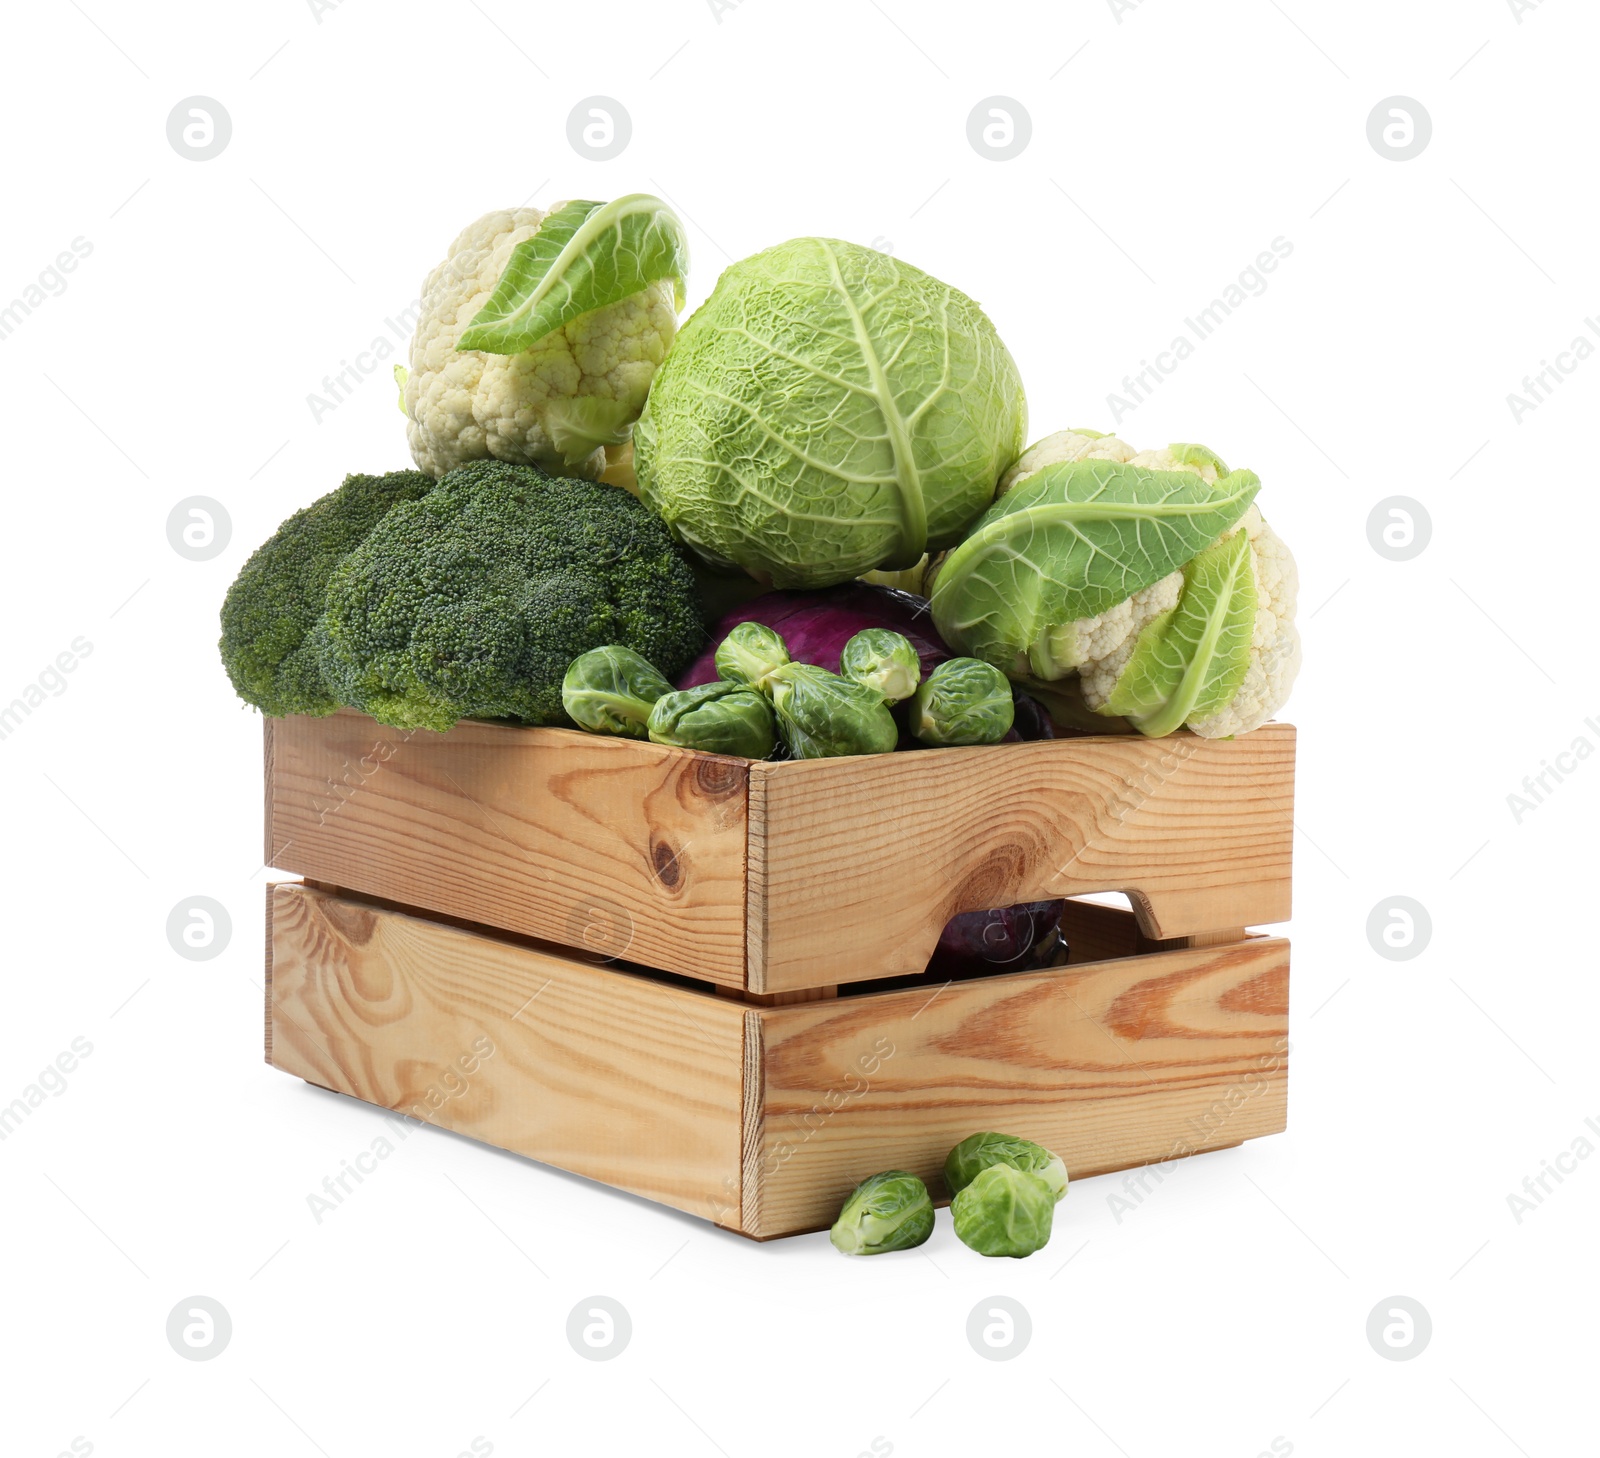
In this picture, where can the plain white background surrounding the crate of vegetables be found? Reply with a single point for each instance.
(1170, 146)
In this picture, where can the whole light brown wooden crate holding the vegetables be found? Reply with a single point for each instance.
(660, 969)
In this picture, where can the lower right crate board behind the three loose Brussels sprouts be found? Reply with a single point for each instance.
(1111, 1065)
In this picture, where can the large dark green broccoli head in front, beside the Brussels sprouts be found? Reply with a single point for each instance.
(474, 599)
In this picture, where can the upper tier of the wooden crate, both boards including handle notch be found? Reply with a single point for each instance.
(778, 878)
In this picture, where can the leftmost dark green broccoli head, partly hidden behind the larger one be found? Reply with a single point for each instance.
(270, 647)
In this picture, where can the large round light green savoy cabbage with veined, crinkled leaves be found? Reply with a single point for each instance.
(828, 412)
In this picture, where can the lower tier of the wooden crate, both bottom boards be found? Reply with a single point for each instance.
(762, 1118)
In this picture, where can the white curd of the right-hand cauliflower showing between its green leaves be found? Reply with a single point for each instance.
(1102, 647)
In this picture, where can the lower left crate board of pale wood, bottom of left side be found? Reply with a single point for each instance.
(609, 1075)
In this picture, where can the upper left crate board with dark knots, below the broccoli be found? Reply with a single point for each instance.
(614, 846)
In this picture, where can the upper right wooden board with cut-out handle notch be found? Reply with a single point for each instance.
(858, 863)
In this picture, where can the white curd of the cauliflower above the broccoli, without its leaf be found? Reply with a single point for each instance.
(465, 406)
